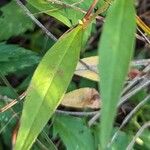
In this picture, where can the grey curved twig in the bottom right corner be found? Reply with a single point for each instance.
(146, 125)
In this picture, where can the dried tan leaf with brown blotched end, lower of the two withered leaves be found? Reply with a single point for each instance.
(82, 98)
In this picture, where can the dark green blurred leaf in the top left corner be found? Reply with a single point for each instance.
(13, 21)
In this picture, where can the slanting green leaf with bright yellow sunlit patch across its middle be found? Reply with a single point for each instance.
(48, 86)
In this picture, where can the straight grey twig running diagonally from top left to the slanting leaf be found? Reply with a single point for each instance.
(29, 14)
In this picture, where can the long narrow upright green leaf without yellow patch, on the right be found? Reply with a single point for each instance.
(115, 51)
